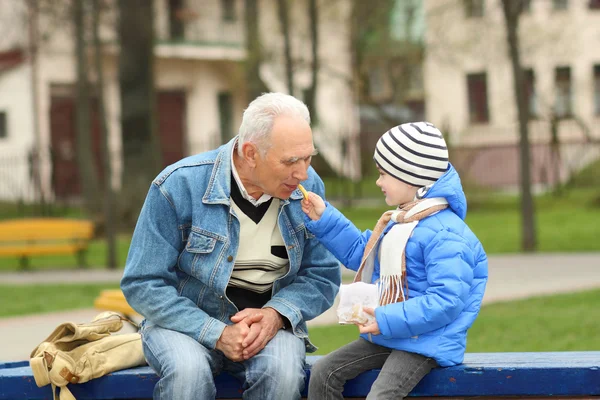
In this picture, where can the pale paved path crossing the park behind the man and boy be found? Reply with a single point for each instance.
(510, 277)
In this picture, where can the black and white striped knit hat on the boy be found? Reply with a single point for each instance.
(414, 153)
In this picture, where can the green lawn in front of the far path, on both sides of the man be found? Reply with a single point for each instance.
(566, 322)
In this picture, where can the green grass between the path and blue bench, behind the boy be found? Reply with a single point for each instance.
(567, 322)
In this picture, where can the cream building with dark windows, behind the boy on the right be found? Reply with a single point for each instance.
(469, 83)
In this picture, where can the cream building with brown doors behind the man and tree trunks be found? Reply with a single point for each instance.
(199, 79)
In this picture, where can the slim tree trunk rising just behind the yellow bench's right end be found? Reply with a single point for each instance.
(85, 159)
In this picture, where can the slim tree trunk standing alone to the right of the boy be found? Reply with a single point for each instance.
(512, 10)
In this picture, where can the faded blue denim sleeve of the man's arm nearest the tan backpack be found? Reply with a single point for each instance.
(150, 282)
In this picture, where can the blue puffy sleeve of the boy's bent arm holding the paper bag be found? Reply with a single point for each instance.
(449, 264)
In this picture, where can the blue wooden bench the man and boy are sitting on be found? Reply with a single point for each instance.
(565, 375)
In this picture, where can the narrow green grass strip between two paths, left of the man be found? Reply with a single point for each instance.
(34, 299)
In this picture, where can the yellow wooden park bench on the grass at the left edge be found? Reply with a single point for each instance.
(28, 237)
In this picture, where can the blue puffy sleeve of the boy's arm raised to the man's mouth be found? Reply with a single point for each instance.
(340, 236)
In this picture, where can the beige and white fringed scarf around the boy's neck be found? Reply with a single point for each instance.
(393, 285)
